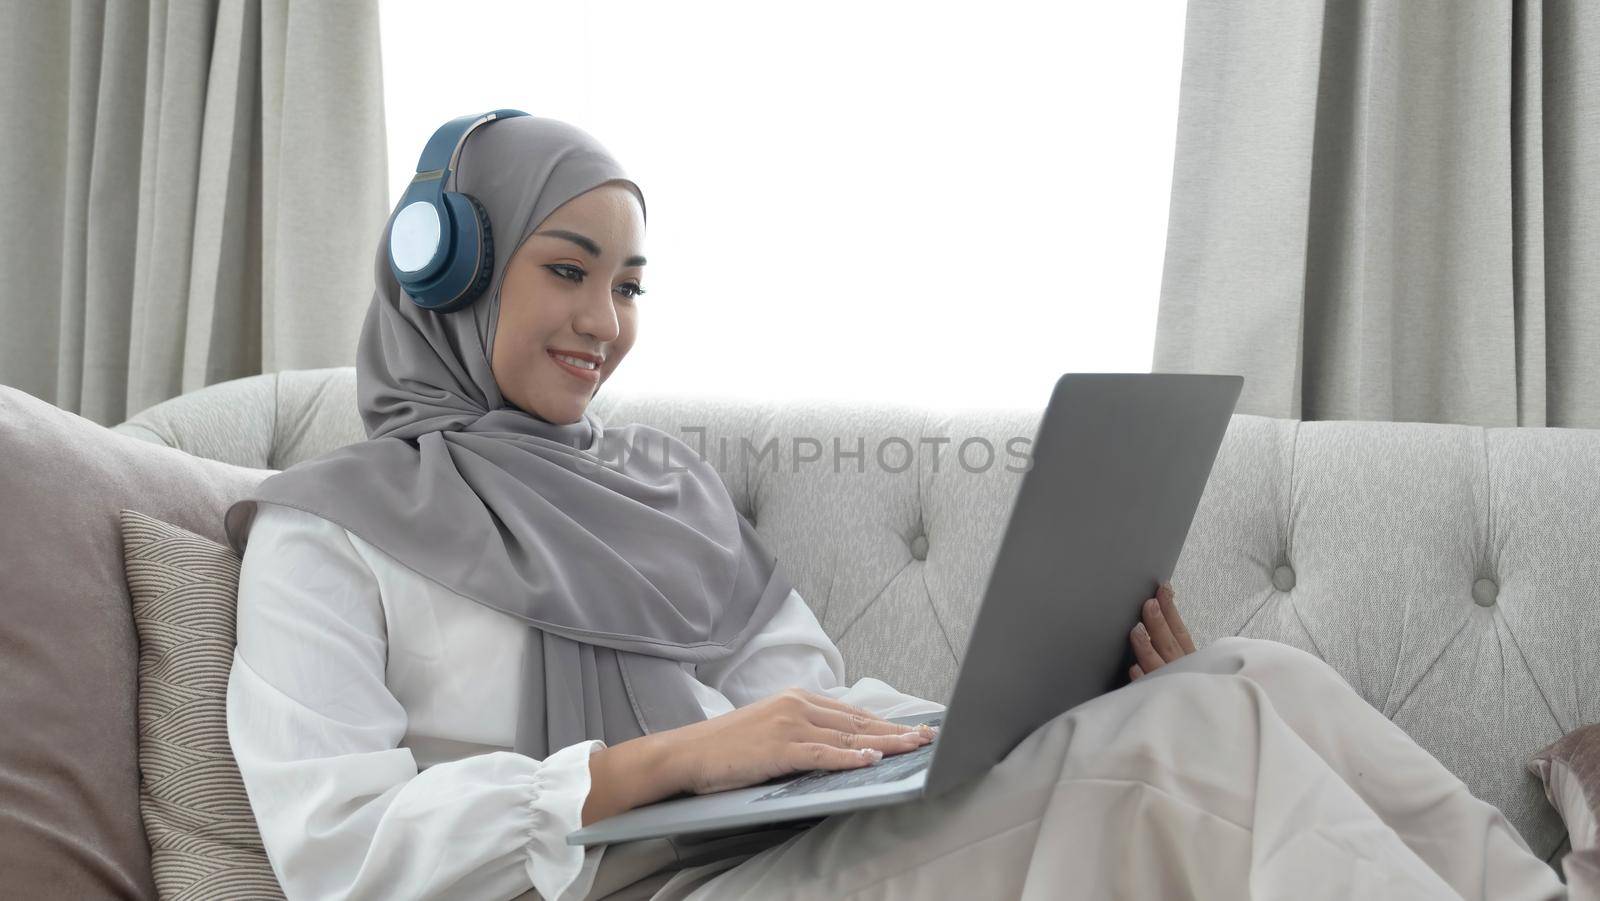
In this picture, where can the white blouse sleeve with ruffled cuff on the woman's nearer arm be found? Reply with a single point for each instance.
(343, 811)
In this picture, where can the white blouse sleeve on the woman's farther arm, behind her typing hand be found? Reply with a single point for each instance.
(794, 651)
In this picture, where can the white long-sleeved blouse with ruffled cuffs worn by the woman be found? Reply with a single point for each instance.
(374, 715)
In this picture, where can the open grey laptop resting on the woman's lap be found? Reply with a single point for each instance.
(1119, 465)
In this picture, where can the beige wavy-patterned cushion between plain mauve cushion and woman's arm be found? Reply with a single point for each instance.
(204, 838)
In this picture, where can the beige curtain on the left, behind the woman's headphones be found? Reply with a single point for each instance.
(193, 193)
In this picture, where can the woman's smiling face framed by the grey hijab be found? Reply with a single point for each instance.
(570, 289)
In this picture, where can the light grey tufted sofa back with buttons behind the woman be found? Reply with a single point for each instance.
(1450, 574)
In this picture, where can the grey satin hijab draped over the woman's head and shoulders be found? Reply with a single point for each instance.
(618, 547)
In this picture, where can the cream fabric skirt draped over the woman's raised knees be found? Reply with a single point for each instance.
(1246, 771)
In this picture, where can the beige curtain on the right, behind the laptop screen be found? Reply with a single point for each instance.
(1390, 210)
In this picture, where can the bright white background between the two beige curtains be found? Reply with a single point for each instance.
(943, 204)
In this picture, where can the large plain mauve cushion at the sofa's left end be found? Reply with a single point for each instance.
(70, 771)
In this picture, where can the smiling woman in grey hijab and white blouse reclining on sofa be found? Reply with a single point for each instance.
(391, 750)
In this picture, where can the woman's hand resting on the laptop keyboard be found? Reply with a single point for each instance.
(793, 731)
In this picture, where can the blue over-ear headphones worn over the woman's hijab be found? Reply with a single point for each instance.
(441, 247)
